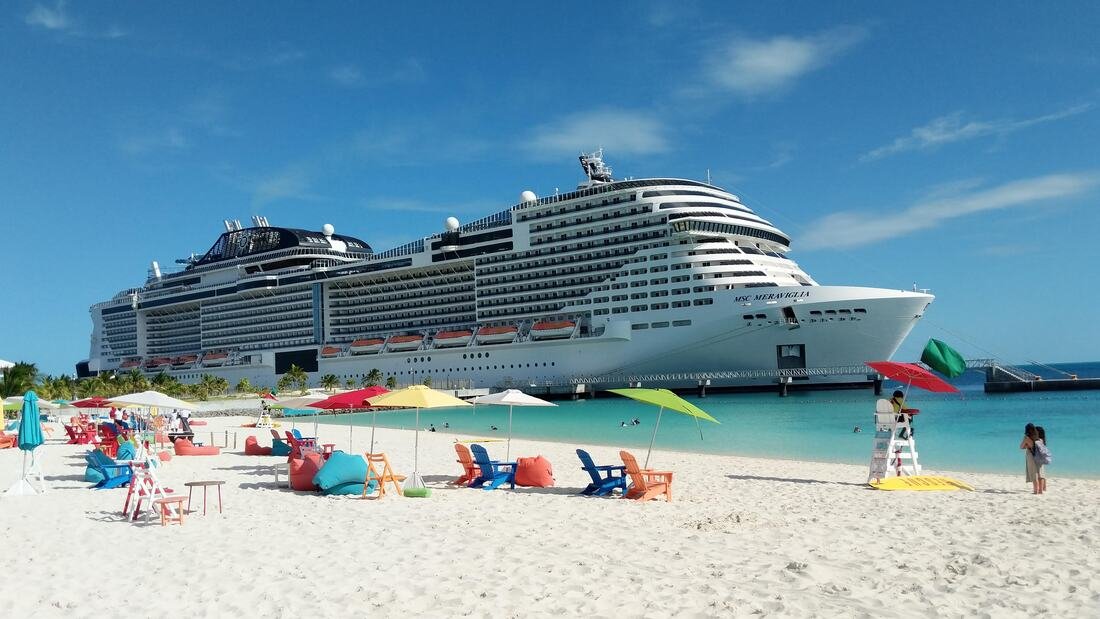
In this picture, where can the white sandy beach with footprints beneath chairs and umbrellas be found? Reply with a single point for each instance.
(743, 537)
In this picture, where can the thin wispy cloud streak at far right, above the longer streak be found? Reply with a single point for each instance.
(955, 128)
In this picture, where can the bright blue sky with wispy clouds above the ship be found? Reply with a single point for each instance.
(953, 147)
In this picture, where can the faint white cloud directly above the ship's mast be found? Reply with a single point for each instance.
(621, 131)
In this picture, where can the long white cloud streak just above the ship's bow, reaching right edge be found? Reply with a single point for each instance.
(851, 229)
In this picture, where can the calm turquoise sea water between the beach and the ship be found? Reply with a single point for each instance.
(971, 432)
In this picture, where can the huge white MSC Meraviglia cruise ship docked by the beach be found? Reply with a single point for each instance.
(668, 279)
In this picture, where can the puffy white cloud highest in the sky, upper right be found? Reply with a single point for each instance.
(757, 67)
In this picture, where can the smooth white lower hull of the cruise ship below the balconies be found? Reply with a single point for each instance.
(719, 340)
